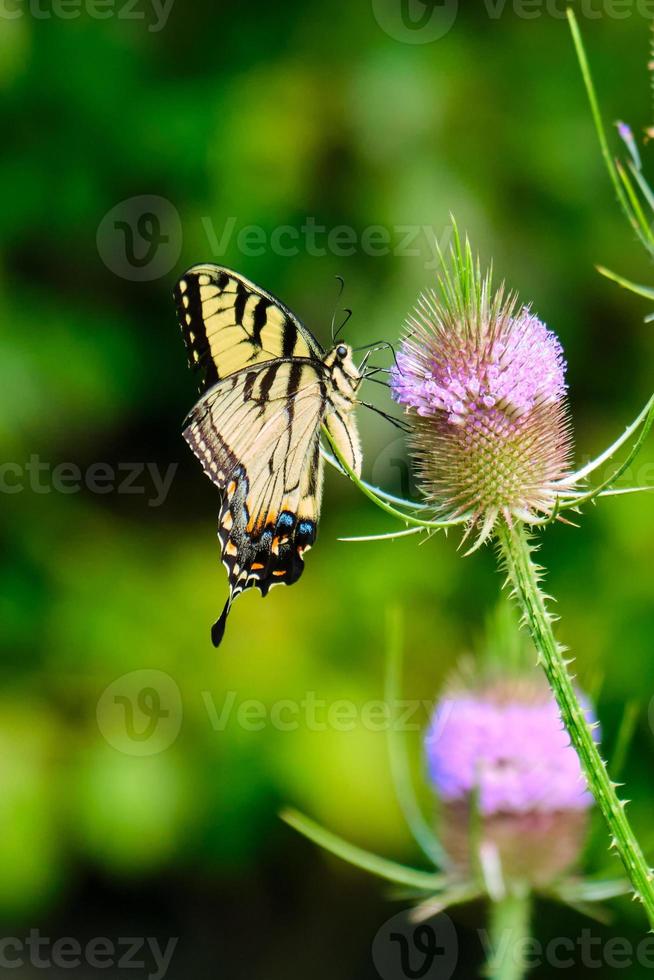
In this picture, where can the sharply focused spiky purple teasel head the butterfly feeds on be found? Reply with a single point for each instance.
(483, 381)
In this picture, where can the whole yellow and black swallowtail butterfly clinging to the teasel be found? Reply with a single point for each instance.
(267, 387)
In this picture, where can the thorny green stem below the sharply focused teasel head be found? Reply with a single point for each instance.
(524, 576)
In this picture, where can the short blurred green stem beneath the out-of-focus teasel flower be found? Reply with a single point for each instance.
(509, 927)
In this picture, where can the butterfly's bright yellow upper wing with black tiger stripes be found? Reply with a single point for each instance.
(229, 323)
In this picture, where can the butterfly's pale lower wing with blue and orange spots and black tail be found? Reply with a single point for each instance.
(256, 434)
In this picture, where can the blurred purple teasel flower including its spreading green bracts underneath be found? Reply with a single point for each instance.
(514, 806)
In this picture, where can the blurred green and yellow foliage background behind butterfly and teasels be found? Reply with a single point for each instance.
(268, 115)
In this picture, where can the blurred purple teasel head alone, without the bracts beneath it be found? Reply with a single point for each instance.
(498, 754)
